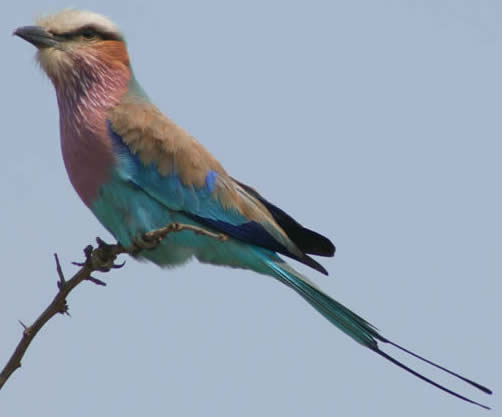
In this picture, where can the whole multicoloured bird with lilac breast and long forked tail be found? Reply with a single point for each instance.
(138, 171)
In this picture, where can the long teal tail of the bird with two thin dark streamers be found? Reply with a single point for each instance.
(358, 328)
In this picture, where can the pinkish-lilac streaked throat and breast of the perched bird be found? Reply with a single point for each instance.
(84, 99)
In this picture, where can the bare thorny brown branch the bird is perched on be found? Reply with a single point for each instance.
(100, 259)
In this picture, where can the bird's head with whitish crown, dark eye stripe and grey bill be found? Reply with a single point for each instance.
(75, 44)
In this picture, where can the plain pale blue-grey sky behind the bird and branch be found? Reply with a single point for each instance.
(376, 123)
